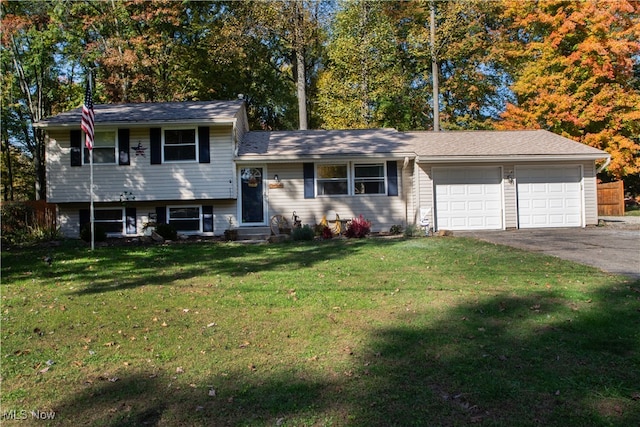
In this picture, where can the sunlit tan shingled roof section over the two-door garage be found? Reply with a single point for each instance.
(433, 146)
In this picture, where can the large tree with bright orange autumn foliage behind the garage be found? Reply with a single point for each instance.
(573, 65)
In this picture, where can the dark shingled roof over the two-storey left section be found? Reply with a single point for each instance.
(151, 112)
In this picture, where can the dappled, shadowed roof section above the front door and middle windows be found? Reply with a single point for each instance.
(292, 145)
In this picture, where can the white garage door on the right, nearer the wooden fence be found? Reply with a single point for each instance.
(549, 196)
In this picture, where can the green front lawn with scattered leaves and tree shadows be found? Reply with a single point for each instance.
(429, 331)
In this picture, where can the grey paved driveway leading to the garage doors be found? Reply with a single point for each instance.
(613, 247)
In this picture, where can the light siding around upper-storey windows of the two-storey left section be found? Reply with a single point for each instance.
(169, 181)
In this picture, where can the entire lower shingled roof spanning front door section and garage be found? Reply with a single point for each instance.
(444, 146)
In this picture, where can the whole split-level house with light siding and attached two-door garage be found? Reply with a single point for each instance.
(197, 166)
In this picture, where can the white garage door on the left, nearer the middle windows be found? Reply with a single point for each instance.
(468, 198)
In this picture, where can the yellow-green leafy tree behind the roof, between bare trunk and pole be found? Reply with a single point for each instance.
(362, 73)
